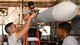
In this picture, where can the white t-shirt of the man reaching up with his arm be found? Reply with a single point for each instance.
(12, 40)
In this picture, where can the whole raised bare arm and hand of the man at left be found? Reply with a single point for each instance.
(25, 27)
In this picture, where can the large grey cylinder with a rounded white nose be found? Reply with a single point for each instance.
(63, 11)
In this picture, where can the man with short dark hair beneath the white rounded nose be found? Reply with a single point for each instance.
(63, 32)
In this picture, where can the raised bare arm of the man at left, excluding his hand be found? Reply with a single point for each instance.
(25, 28)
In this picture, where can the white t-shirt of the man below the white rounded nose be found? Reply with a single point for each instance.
(70, 41)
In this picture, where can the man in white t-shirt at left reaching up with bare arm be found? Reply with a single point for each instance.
(14, 34)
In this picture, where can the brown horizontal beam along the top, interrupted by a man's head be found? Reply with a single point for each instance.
(17, 3)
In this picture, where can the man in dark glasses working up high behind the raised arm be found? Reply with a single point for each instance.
(29, 10)
